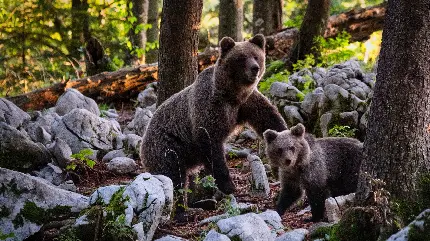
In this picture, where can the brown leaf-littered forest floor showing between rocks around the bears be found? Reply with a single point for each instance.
(90, 180)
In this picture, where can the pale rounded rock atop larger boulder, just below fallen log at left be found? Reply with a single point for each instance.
(72, 99)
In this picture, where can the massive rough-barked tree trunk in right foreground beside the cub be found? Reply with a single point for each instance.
(397, 145)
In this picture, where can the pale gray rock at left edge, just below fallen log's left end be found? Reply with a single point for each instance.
(11, 114)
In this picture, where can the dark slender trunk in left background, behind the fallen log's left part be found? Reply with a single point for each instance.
(80, 28)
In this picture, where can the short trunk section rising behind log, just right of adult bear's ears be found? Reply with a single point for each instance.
(267, 16)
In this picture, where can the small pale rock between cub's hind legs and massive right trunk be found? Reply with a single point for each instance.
(335, 206)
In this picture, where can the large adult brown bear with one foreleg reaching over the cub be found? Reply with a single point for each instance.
(189, 129)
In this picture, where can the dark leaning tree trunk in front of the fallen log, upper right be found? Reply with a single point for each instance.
(313, 25)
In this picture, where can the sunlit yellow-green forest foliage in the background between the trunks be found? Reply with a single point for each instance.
(42, 42)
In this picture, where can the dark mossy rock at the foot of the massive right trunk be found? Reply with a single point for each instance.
(358, 224)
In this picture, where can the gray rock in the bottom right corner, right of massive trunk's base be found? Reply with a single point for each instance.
(420, 225)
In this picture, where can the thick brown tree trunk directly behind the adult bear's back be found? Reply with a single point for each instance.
(180, 21)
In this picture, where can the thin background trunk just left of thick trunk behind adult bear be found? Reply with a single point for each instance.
(153, 32)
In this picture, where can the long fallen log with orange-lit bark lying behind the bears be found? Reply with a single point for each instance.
(125, 84)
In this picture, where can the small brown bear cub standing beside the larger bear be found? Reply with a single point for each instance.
(323, 167)
